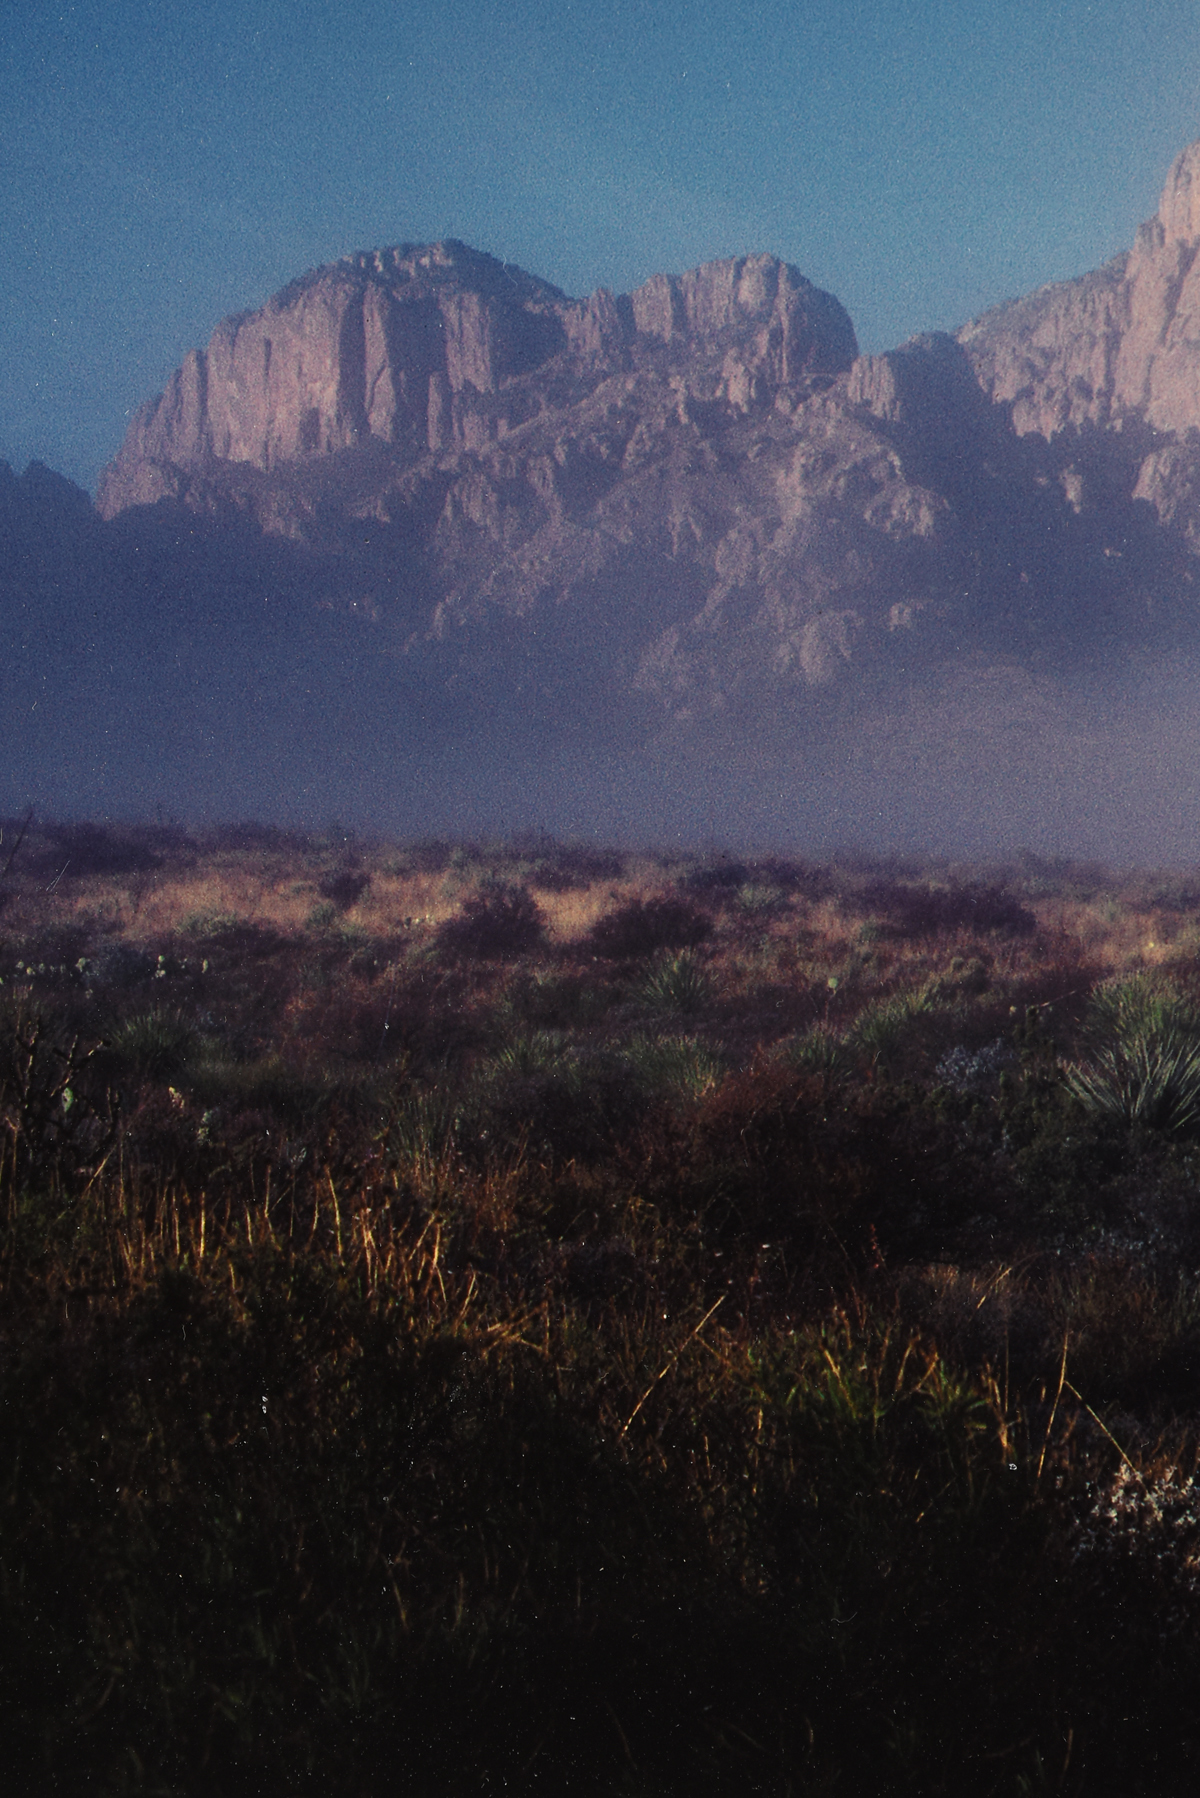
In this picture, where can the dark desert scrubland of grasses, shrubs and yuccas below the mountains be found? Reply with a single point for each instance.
(555, 1322)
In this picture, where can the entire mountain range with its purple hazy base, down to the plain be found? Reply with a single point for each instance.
(427, 544)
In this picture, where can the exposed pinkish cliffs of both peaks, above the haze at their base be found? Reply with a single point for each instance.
(697, 501)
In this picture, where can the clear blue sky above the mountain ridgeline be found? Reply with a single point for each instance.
(166, 163)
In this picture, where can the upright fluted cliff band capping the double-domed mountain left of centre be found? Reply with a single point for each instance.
(425, 350)
